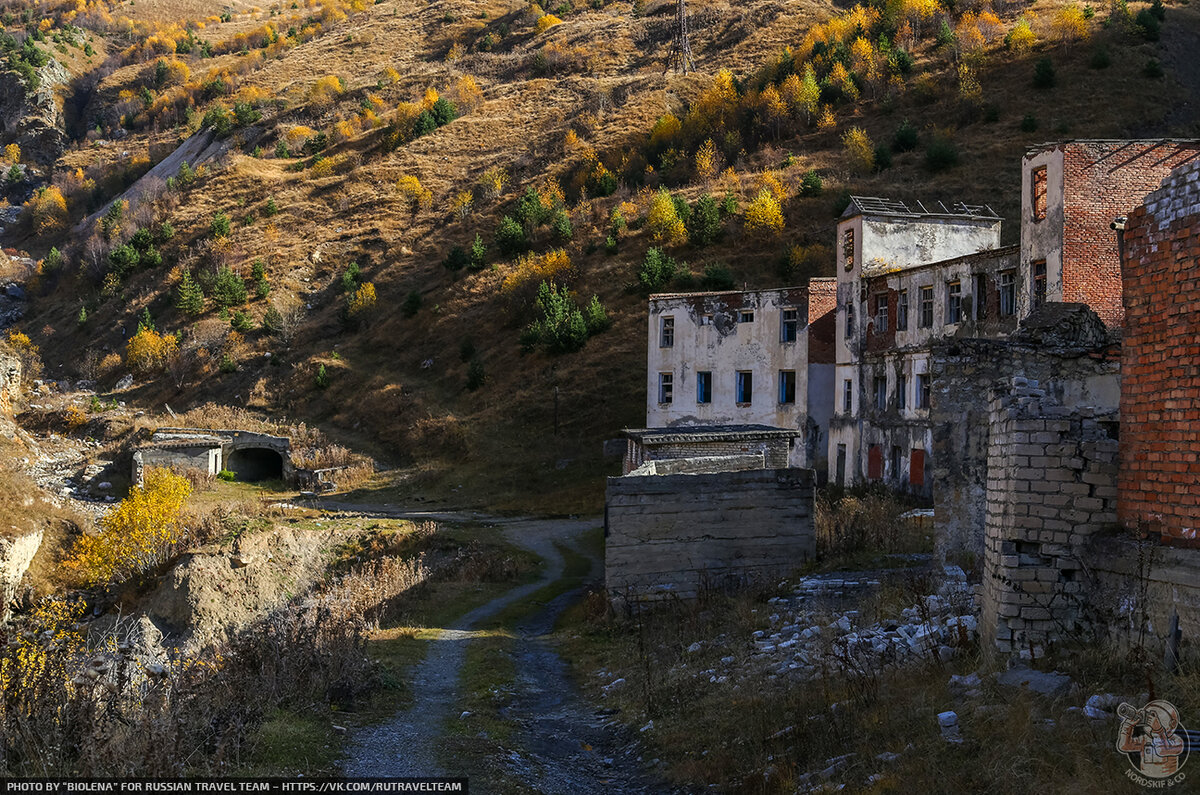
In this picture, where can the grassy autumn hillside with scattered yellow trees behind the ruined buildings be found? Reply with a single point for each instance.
(320, 141)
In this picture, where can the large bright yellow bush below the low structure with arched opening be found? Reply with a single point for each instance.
(141, 535)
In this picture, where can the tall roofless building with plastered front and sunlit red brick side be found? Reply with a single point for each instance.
(1071, 194)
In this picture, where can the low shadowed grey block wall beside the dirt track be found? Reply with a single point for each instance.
(682, 534)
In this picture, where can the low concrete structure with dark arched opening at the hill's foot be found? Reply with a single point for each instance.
(249, 456)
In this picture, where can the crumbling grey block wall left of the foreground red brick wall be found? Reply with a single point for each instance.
(1052, 487)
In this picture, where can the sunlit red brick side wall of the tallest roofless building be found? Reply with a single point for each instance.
(1103, 180)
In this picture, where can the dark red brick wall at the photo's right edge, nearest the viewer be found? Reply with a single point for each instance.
(1161, 363)
